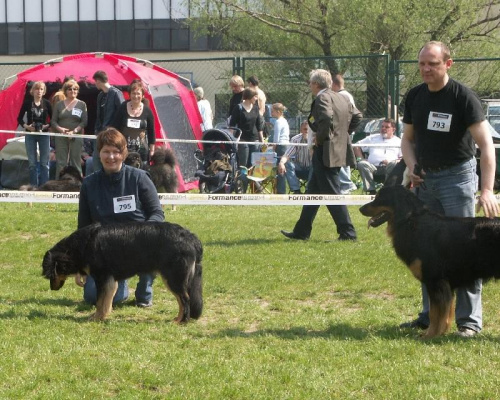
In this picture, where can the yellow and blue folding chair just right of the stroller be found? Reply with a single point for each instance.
(262, 174)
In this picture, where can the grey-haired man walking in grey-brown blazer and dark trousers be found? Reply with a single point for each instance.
(332, 118)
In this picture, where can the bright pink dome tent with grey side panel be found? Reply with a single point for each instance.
(171, 99)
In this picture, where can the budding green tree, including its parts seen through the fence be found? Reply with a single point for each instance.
(335, 28)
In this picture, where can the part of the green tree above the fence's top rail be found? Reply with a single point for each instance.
(346, 27)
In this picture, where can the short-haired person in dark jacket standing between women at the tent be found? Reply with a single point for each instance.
(108, 102)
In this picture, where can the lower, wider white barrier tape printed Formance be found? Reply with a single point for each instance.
(15, 196)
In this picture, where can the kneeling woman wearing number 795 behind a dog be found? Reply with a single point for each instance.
(114, 194)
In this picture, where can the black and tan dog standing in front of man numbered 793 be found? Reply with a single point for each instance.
(442, 252)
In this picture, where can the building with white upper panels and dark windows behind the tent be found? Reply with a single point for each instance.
(75, 26)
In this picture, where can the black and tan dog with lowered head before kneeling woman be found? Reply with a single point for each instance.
(115, 252)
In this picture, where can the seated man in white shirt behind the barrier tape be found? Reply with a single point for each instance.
(381, 160)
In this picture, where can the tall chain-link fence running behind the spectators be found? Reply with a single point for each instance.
(373, 80)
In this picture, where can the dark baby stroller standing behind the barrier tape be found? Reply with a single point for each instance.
(218, 162)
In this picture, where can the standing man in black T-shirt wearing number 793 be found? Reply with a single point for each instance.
(442, 120)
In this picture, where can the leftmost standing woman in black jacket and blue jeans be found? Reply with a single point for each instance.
(37, 111)
